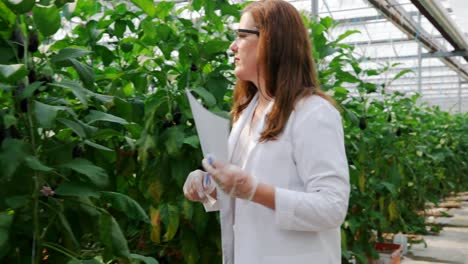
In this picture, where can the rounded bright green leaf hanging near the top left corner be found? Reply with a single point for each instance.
(46, 19)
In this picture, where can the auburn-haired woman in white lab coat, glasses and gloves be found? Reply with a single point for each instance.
(283, 193)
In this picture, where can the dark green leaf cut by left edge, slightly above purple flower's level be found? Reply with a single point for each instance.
(11, 156)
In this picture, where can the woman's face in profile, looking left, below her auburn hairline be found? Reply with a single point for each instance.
(245, 50)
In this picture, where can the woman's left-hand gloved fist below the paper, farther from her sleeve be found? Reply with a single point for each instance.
(195, 189)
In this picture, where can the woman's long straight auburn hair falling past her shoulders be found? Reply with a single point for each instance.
(284, 58)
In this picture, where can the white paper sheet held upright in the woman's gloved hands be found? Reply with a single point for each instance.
(213, 132)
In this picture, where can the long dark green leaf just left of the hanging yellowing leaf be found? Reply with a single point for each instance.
(126, 205)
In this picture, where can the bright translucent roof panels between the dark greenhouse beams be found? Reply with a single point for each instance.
(384, 42)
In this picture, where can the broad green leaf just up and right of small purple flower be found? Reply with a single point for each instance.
(95, 174)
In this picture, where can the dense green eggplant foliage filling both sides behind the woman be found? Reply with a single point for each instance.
(97, 137)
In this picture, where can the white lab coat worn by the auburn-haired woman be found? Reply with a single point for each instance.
(307, 165)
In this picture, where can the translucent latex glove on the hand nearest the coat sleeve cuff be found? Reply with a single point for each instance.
(231, 179)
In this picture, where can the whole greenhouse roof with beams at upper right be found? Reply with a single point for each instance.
(429, 37)
